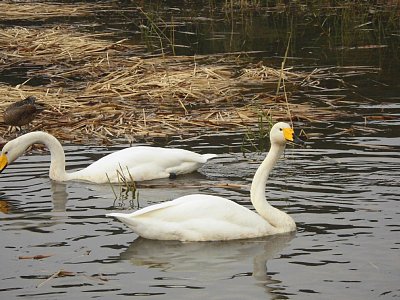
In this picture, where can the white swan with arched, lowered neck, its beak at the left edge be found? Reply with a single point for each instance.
(143, 162)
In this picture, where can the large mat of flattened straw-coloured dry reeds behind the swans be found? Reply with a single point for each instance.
(97, 90)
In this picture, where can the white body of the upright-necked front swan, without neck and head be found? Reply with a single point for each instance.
(196, 218)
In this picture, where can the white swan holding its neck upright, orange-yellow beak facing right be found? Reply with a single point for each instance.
(200, 217)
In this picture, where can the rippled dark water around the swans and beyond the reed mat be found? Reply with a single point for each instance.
(343, 190)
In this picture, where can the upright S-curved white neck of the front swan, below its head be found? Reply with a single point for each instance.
(277, 218)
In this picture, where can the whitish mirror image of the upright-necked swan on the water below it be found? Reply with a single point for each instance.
(210, 260)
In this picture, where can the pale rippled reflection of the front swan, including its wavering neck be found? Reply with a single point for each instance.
(192, 265)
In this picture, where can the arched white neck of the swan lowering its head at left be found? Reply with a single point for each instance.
(57, 165)
